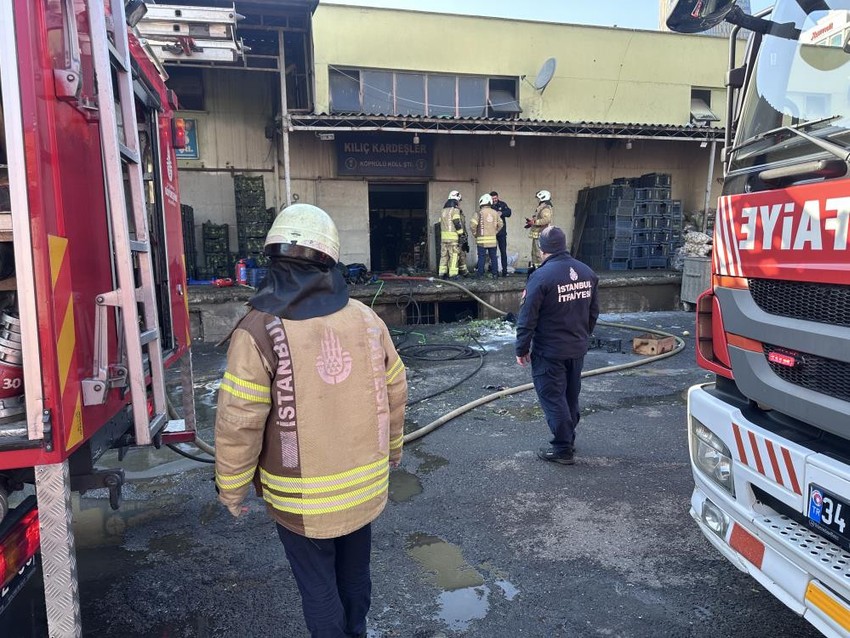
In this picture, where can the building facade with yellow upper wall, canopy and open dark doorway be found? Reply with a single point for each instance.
(389, 110)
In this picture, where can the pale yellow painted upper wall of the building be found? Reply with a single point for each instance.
(602, 75)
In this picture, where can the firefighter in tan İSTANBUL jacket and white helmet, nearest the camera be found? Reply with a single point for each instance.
(310, 411)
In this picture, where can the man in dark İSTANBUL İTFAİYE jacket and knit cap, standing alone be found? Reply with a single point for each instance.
(557, 316)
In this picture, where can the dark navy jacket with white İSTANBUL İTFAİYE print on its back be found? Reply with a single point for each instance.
(559, 309)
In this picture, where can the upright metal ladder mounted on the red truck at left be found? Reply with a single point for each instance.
(122, 165)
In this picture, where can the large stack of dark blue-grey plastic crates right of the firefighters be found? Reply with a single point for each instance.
(630, 224)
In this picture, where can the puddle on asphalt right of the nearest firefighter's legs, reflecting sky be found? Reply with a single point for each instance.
(465, 597)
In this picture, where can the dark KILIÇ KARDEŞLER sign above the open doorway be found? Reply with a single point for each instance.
(384, 154)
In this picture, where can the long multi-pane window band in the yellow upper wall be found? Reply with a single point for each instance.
(421, 94)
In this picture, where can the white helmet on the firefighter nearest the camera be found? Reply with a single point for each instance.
(303, 231)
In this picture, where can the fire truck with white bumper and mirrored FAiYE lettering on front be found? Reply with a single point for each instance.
(770, 437)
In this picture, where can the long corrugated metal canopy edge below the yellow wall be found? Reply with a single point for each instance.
(510, 127)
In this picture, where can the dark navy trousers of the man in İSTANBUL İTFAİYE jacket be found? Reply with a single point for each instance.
(558, 383)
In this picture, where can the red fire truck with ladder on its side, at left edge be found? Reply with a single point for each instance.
(93, 303)
